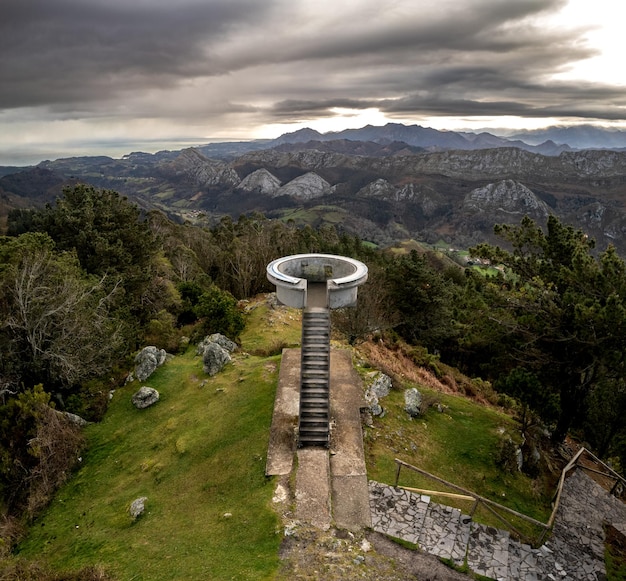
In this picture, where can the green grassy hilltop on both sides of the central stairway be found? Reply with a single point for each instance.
(198, 456)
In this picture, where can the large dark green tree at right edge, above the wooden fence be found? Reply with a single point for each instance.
(561, 314)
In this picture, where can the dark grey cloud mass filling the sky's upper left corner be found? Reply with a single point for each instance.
(56, 51)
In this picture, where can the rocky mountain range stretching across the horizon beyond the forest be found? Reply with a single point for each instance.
(384, 183)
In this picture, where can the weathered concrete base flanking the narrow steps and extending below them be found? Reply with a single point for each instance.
(330, 485)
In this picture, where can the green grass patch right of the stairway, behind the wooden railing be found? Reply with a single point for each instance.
(461, 446)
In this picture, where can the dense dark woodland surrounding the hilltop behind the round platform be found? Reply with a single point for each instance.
(86, 282)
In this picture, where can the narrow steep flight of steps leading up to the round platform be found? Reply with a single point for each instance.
(313, 425)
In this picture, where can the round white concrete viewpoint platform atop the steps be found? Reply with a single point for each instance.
(296, 275)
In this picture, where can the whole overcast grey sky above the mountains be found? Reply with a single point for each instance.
(112, 76)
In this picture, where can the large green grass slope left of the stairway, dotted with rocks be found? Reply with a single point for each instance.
(198, 455)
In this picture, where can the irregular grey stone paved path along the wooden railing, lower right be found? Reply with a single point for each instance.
(574, 551)
